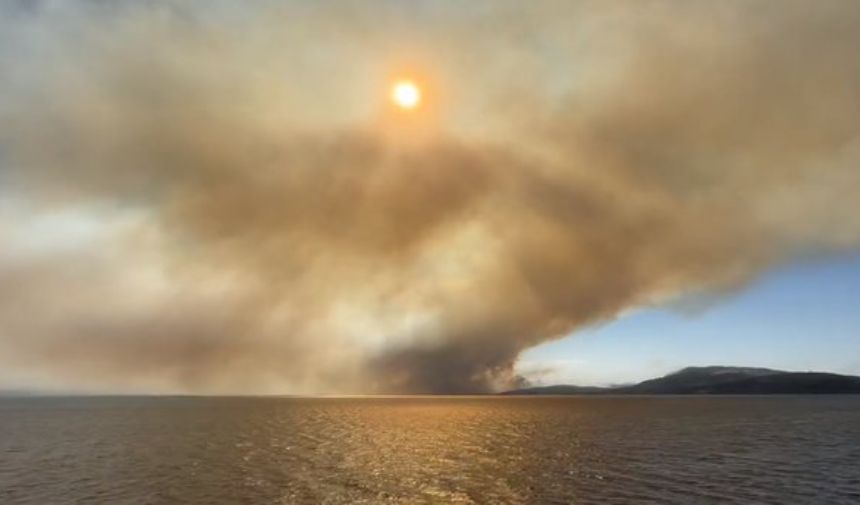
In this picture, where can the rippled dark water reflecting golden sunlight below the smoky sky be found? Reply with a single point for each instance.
(601, 450)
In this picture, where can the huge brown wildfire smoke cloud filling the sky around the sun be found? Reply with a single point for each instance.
(216, 198)
